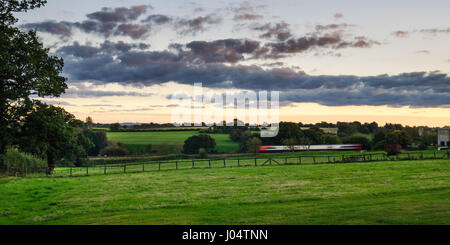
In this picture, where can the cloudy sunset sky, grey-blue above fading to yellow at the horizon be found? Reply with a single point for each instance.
(382, 61)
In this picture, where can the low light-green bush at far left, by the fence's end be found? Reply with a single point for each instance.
(20, 162)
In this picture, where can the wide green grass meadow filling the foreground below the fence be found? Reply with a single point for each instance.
(404, 192)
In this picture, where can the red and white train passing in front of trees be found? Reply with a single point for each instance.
(342, 147)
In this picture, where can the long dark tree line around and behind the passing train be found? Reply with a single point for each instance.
(369, 135)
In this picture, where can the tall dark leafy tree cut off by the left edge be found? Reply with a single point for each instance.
(26, 70)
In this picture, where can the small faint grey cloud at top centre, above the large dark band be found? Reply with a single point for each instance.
(197, 24)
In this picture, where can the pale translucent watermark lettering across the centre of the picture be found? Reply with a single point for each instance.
(221, 109)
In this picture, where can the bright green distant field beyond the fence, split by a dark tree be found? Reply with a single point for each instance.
(136, 142)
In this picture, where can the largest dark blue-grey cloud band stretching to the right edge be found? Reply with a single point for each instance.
(144, 68)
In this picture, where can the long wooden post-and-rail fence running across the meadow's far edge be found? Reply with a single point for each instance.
(230, 162)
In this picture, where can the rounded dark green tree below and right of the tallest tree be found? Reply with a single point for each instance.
(52, 132)
